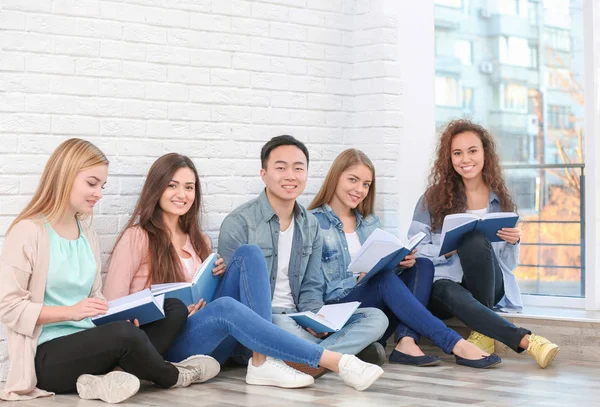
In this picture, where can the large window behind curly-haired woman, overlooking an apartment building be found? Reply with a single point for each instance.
(526, 85)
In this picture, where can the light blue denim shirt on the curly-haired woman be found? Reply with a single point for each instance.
(506, 253)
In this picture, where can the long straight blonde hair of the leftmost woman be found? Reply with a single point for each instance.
(52, 196)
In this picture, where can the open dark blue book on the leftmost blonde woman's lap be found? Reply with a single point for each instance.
(143, 306)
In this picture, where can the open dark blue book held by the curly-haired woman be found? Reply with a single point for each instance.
(459, 224)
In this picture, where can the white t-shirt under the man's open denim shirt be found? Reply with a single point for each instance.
(282, 297)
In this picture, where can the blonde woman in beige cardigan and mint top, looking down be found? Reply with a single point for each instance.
(50, 287)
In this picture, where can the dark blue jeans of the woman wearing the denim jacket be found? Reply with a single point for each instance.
(386, 290)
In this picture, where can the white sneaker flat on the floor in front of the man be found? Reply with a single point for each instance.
(275, 372)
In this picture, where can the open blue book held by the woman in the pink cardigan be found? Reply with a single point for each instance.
(203, 285)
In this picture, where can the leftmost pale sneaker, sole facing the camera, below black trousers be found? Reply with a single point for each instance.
(113, 387)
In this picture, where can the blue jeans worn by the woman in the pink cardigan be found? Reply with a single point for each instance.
(241, 313)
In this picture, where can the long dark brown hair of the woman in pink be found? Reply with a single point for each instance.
(165, 265)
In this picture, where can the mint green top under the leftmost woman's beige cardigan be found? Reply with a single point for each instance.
(71, 274)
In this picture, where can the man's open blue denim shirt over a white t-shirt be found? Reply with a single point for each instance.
(256, 223)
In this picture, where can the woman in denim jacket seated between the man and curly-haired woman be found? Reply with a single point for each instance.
(344, 207)
